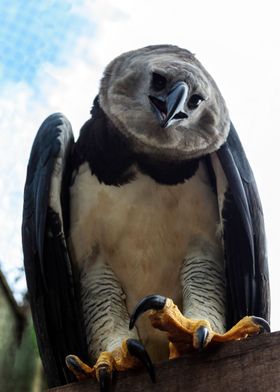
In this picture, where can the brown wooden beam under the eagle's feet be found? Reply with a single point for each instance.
(241, 366)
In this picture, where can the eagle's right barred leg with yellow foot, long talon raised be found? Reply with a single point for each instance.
(203, 317)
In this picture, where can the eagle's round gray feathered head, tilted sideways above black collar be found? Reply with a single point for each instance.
(139, 83)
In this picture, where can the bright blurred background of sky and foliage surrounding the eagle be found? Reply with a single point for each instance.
(52, 54)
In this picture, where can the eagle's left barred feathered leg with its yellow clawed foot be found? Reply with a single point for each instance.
(106, 319)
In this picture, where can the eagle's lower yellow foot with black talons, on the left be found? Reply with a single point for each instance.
(129, 356)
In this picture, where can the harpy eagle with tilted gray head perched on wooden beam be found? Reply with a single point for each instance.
(154, 207)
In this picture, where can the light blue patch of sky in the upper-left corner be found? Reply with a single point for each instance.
(34, 32)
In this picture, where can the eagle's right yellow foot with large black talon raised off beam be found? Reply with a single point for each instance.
(186, 334)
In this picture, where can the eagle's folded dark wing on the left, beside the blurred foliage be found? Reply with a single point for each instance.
(53, 299)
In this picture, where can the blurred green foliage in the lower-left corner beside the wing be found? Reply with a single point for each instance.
(20, 365)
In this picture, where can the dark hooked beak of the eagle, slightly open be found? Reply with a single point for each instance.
(171, 108)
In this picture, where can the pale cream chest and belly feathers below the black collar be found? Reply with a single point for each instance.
(141, 227)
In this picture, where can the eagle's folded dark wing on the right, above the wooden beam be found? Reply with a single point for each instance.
(244, 236)
